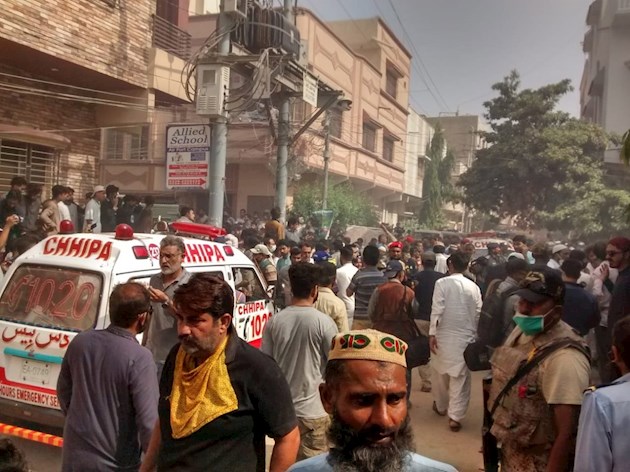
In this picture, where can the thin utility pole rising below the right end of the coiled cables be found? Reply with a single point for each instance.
(283, 137)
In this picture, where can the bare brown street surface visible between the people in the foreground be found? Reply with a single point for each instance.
(433, 437)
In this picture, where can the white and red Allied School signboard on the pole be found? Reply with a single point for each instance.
(187, 156)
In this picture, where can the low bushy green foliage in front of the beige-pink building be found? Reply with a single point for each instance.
(350, 207)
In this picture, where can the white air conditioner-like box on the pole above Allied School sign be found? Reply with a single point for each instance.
(213, 82)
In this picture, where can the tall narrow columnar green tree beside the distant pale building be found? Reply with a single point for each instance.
(436, 187)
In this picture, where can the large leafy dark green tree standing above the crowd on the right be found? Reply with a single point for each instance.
(542, 167)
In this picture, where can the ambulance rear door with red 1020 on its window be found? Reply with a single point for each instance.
(42, 308)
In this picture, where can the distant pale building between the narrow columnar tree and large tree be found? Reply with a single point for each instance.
(463, 137)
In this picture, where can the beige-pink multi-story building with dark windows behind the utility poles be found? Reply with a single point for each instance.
(365, 61)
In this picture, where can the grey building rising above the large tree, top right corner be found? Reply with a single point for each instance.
(605, 86)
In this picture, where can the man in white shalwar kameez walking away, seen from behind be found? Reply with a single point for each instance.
(454, 317)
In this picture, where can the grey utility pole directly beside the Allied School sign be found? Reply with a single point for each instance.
(218, 149)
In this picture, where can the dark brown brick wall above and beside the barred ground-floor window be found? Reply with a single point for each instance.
(78, 163)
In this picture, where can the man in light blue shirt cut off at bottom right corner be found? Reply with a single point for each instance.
(602, 442)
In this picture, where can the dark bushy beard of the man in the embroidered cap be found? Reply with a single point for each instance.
(355, 451)
